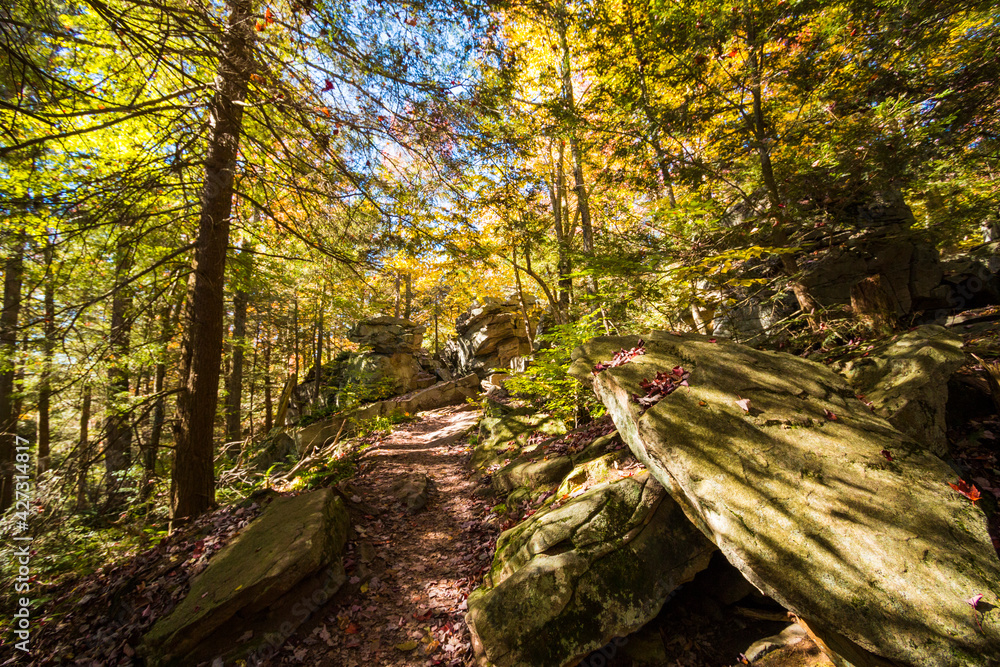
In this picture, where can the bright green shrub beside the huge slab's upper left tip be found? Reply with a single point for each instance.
(546, 380)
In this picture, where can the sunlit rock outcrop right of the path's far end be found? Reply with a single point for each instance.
(491, 336)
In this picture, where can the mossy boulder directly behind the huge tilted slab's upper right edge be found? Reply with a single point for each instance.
(906, 381)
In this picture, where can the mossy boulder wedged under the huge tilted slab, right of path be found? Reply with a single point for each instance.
(570, 578)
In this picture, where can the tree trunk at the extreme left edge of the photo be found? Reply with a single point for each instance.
(13, 277)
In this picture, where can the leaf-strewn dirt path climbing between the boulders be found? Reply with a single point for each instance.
(410, 572)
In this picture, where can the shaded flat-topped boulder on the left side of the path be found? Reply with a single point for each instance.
(285, 563)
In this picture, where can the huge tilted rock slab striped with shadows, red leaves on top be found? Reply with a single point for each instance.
(820, 503)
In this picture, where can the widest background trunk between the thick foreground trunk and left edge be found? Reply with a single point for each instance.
(117, 452)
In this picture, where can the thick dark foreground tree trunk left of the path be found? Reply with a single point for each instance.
(193, 483)
